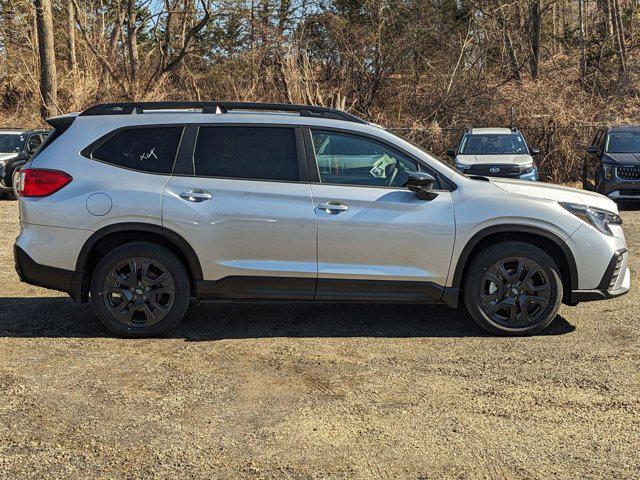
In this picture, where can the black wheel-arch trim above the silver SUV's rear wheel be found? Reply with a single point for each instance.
(176, 239)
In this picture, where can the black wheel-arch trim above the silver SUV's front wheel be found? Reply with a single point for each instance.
(514, 228)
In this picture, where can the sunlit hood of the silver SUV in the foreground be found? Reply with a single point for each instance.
(555, 192)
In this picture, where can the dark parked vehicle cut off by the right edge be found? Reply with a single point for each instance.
(612, 164)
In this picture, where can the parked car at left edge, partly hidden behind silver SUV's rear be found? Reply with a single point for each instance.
(16, 147)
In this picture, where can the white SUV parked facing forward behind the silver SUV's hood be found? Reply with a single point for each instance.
(495, 152)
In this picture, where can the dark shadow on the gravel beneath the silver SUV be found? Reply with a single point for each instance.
(61, 317)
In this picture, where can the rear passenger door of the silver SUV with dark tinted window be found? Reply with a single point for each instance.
(243, 202)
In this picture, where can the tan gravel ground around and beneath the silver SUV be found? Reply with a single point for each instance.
(316, 391)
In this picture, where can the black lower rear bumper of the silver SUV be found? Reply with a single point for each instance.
(44, 276)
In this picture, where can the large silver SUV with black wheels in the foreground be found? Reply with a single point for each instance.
(140, 207)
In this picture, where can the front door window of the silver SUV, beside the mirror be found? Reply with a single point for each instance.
(352, 160)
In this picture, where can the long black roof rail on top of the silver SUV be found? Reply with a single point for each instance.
(220, 107)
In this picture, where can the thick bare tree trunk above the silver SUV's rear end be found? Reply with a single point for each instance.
(48, 81)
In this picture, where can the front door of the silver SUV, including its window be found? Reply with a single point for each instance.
(376, 239)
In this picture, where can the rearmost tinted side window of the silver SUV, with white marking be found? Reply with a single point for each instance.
(145, 149)
